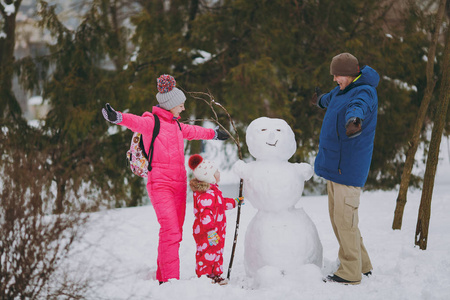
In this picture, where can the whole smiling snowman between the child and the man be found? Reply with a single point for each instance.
(280, 236)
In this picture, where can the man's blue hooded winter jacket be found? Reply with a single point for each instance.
(341, 159)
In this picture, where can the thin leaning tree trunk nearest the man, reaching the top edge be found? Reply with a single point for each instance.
(414, 142)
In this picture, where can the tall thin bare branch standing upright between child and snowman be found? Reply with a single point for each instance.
(211, 103)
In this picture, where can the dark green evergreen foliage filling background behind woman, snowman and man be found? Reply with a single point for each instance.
(260, 58)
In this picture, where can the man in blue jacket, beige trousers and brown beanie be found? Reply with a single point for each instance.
(345, 153)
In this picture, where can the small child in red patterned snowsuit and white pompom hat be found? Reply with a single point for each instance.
(210, 220)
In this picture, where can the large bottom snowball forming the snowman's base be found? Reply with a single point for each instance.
(285, 241)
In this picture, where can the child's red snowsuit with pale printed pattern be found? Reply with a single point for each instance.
(209, 211)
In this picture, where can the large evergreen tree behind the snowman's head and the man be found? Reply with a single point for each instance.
(269, 56)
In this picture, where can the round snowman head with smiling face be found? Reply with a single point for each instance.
(270, 139)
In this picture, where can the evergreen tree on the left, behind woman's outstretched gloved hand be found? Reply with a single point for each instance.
(81, 153)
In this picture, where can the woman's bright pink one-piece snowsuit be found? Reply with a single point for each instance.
(167, 182)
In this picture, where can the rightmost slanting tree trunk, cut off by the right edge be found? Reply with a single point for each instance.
(423, 220)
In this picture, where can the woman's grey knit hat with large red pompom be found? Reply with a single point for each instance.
(168, 95)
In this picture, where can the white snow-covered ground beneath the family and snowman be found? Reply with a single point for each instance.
(118, 253)
